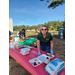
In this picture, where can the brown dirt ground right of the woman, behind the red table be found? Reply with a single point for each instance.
(59, 48)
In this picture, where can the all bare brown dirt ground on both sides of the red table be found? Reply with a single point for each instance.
(59, 50)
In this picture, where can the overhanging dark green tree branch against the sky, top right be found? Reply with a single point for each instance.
(54, 3)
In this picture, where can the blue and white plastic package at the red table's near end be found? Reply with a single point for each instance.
(54, 67)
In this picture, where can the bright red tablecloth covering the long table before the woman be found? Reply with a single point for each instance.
(24, 61)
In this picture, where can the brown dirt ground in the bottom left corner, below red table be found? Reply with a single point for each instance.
(16, 69)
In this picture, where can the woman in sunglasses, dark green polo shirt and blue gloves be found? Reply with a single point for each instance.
(44, 40)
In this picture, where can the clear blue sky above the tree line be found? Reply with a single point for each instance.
(34, 12)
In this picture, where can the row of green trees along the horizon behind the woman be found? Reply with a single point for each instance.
(53, 25)
